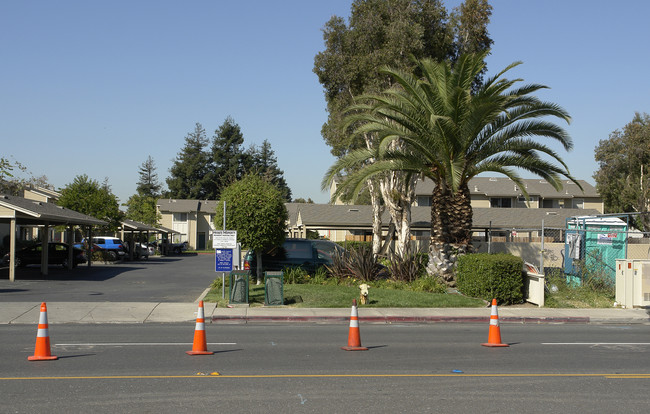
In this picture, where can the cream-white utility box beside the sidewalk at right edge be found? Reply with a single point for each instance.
(633, 283)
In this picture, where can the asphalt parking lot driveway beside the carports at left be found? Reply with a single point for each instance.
(180, 278)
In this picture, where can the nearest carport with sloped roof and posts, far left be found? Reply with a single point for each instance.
(21, 211)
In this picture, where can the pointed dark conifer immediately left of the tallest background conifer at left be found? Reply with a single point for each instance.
(188, 172)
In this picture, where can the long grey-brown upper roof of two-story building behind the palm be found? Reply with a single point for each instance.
(505, 187)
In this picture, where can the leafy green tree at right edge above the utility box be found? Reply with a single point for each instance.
(623, 176)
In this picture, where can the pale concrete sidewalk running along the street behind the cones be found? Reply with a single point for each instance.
(164, 312)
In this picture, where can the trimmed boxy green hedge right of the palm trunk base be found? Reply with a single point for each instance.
(491, 276)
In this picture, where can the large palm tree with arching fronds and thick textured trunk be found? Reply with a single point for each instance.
(450, 133)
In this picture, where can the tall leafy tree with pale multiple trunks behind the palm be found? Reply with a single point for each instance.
(388, 32)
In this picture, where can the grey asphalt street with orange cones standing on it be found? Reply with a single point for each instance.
(300, 368)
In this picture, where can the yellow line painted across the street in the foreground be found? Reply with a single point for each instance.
(217, 375)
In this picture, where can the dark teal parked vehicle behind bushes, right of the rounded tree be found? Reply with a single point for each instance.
(304, 253)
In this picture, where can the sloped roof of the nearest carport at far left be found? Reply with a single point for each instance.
(27, 211)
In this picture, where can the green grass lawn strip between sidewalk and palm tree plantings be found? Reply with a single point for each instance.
(330, 296)
